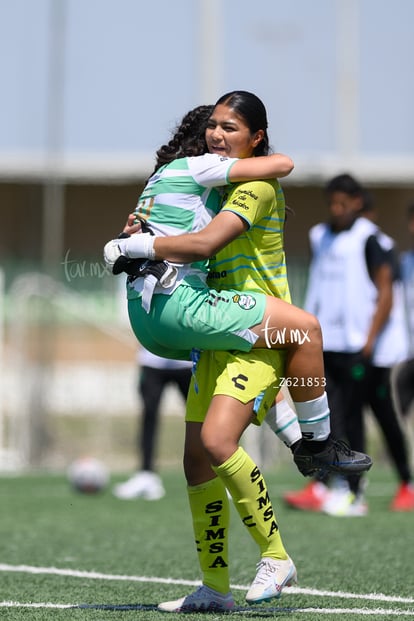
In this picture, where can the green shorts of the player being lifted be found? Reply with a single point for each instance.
(197, 318)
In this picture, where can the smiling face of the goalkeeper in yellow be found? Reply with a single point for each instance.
(228, 134)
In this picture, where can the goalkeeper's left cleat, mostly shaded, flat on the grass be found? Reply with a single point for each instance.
(202, 599)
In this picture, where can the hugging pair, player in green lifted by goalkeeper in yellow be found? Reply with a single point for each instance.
(249, 311)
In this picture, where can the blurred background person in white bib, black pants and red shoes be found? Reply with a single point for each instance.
(355, 291)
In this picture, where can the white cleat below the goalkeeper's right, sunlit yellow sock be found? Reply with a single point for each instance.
(272, 575)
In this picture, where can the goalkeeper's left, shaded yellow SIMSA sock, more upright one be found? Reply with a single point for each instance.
(209, 506)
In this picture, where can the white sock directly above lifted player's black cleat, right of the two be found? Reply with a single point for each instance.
(314, 418)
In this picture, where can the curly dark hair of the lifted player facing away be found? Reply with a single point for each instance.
(188, 138)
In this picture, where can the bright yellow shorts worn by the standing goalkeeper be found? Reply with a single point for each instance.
(254, 376)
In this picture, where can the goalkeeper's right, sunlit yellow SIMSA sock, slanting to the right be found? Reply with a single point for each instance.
(247, 486)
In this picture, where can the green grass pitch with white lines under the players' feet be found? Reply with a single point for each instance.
(67, 556)
